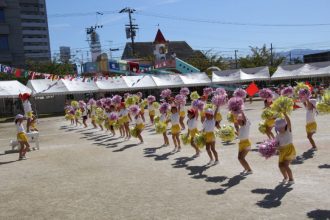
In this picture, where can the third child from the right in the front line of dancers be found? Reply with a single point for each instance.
(208, 129)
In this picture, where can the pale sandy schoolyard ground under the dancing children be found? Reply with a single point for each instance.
(86, 174)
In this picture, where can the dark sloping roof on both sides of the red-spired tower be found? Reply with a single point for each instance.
(146, 49)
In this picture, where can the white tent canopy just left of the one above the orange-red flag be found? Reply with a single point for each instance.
(226, 76)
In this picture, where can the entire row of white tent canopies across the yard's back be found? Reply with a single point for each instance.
(42, 87)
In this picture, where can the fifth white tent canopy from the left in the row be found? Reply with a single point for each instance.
(140, 82)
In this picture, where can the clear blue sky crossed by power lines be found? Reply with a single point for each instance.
(220, 38)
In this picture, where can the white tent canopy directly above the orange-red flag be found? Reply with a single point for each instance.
(255, 74)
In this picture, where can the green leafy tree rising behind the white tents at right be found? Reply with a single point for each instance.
(261, 57)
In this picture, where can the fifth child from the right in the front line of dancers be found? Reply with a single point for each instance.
(175, 129)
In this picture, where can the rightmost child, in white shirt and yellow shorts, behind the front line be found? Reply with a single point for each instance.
(311, 125)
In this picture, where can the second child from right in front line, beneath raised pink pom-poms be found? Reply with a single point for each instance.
(244, 142)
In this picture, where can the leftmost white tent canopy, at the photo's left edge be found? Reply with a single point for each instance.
(11, 89)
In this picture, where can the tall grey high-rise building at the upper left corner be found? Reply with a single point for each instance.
(24, 32)
